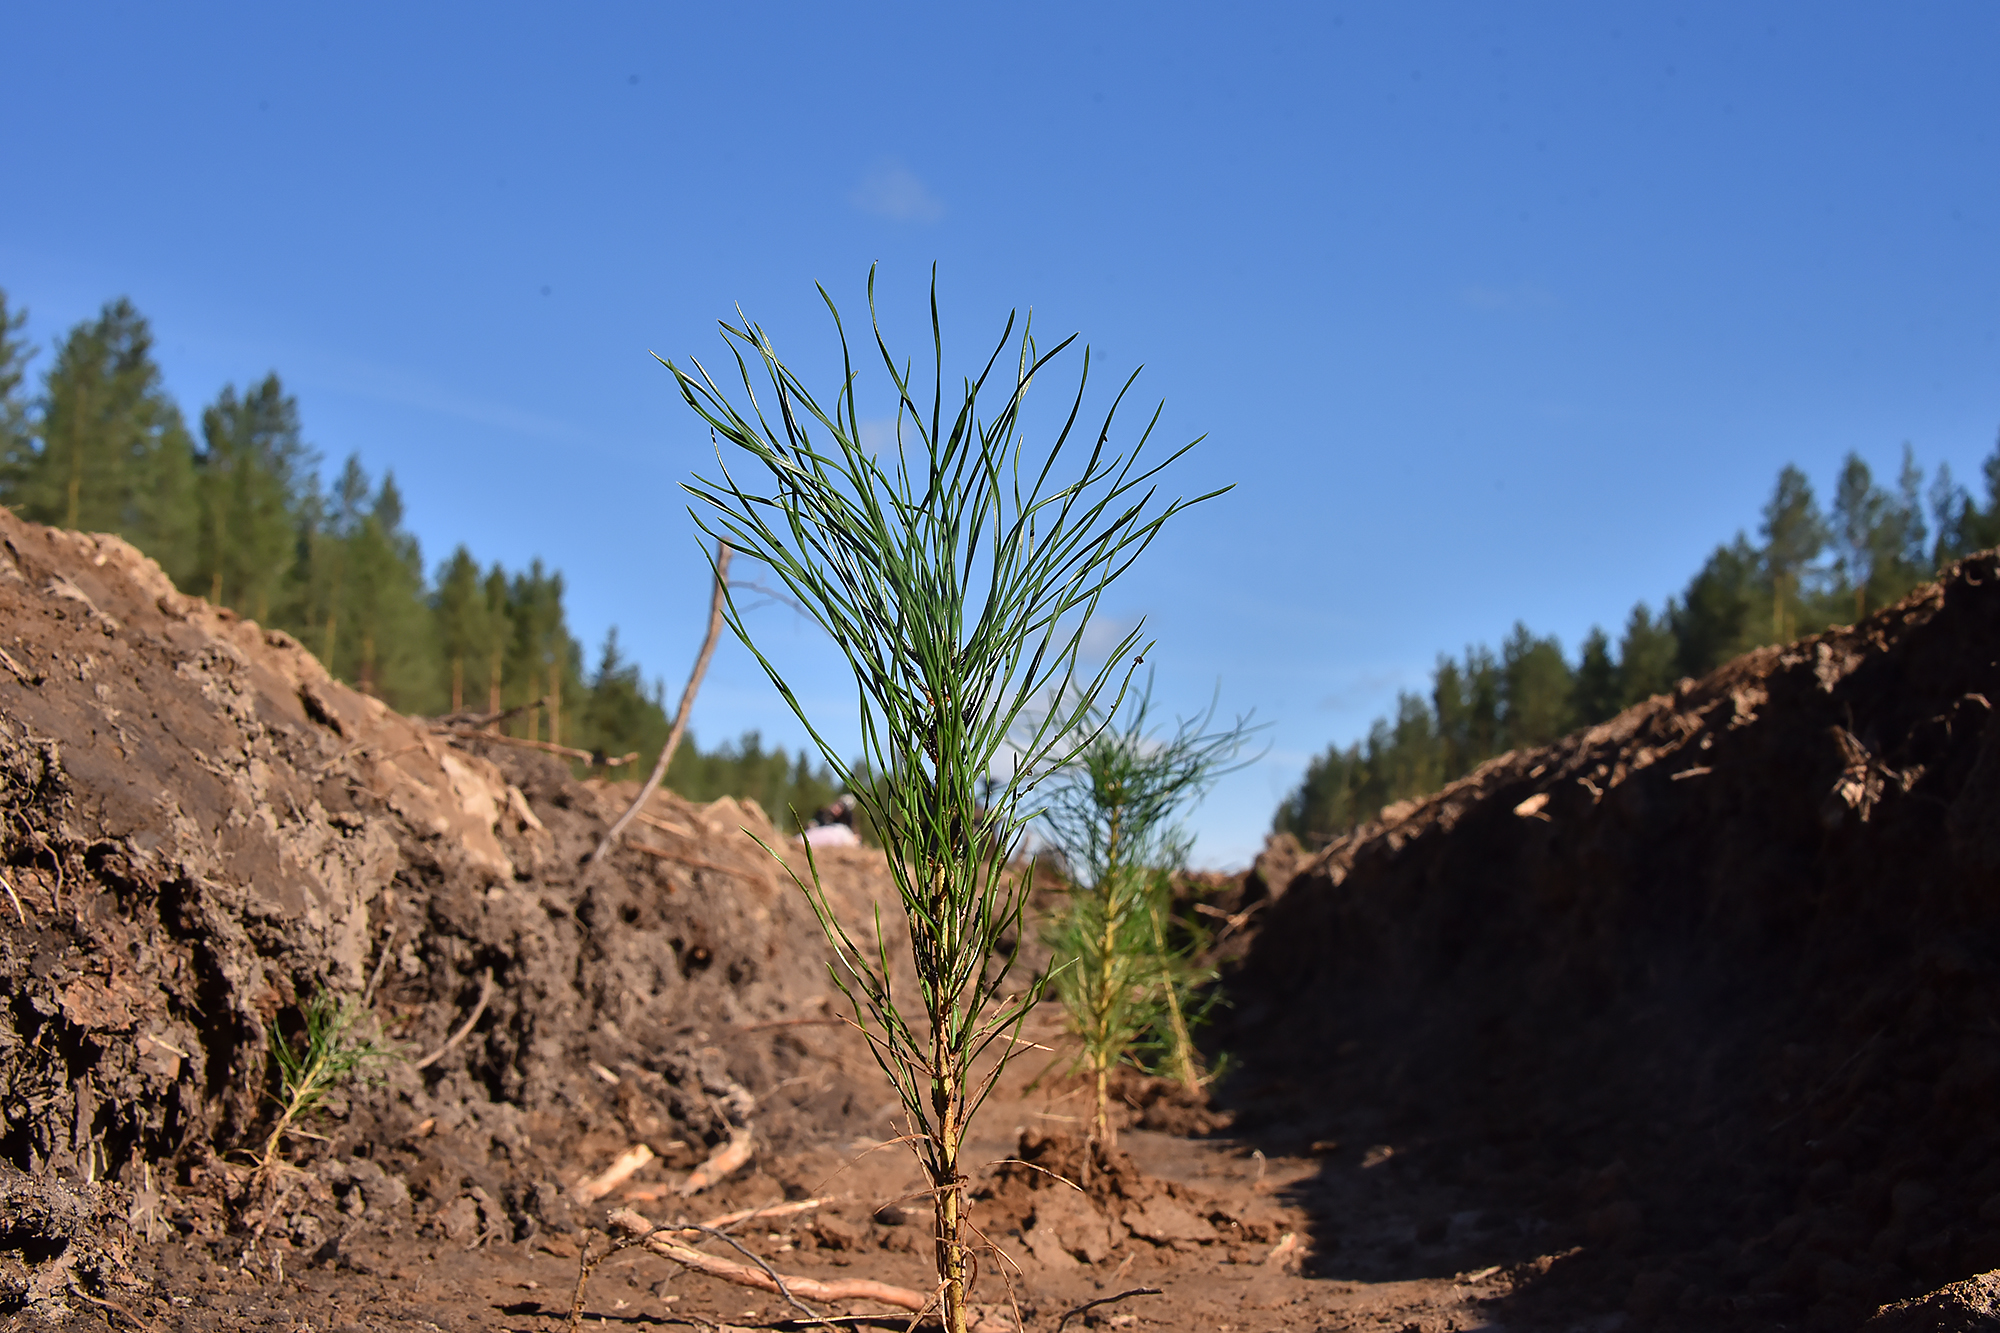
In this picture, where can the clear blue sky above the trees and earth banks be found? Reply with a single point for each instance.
(1489, 313)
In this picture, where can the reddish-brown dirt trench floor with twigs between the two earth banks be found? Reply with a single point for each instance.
(1225, 1232)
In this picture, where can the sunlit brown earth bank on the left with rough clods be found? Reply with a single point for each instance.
(199, 830)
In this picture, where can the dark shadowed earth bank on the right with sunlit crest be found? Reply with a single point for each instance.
(1703, 1006)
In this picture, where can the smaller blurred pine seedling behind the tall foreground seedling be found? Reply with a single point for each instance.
(1113, 820)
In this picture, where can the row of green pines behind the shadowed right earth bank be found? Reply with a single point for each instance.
(1809, 569)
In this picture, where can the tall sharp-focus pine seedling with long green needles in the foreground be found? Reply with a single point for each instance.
(957, 573)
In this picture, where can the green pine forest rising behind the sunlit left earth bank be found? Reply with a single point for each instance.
(241, 513)
